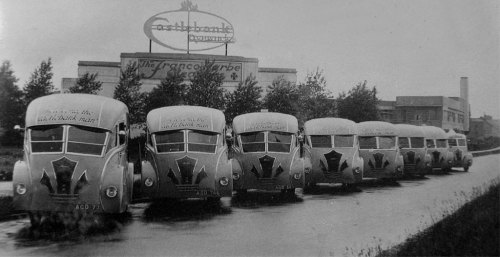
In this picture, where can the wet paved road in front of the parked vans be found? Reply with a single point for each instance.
(327, 222)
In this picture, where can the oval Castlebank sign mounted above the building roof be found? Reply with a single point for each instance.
(189, 29)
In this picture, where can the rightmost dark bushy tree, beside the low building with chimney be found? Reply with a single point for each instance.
(359, 104)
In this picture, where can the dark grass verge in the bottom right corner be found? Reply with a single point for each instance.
(473, 230)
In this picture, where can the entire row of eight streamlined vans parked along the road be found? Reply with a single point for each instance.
(75, 154)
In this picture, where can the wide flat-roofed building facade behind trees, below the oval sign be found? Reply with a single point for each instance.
(153, 67)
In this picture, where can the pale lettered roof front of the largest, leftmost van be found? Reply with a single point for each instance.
(75, 109)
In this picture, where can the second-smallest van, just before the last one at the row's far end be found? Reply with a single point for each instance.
(436, 141)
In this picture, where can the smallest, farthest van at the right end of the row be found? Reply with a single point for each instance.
(458, 144)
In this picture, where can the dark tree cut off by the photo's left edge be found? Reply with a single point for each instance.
(12, 107)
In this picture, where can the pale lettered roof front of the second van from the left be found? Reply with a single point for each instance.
(185, 117)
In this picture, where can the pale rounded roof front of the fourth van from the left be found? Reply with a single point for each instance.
(330, 126)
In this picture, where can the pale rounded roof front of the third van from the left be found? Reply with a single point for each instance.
(264, 121)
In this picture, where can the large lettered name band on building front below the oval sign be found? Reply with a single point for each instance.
(159, 68)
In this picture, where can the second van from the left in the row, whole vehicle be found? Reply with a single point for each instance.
(186, 154)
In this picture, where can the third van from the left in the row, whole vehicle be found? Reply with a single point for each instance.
(268, 151)
